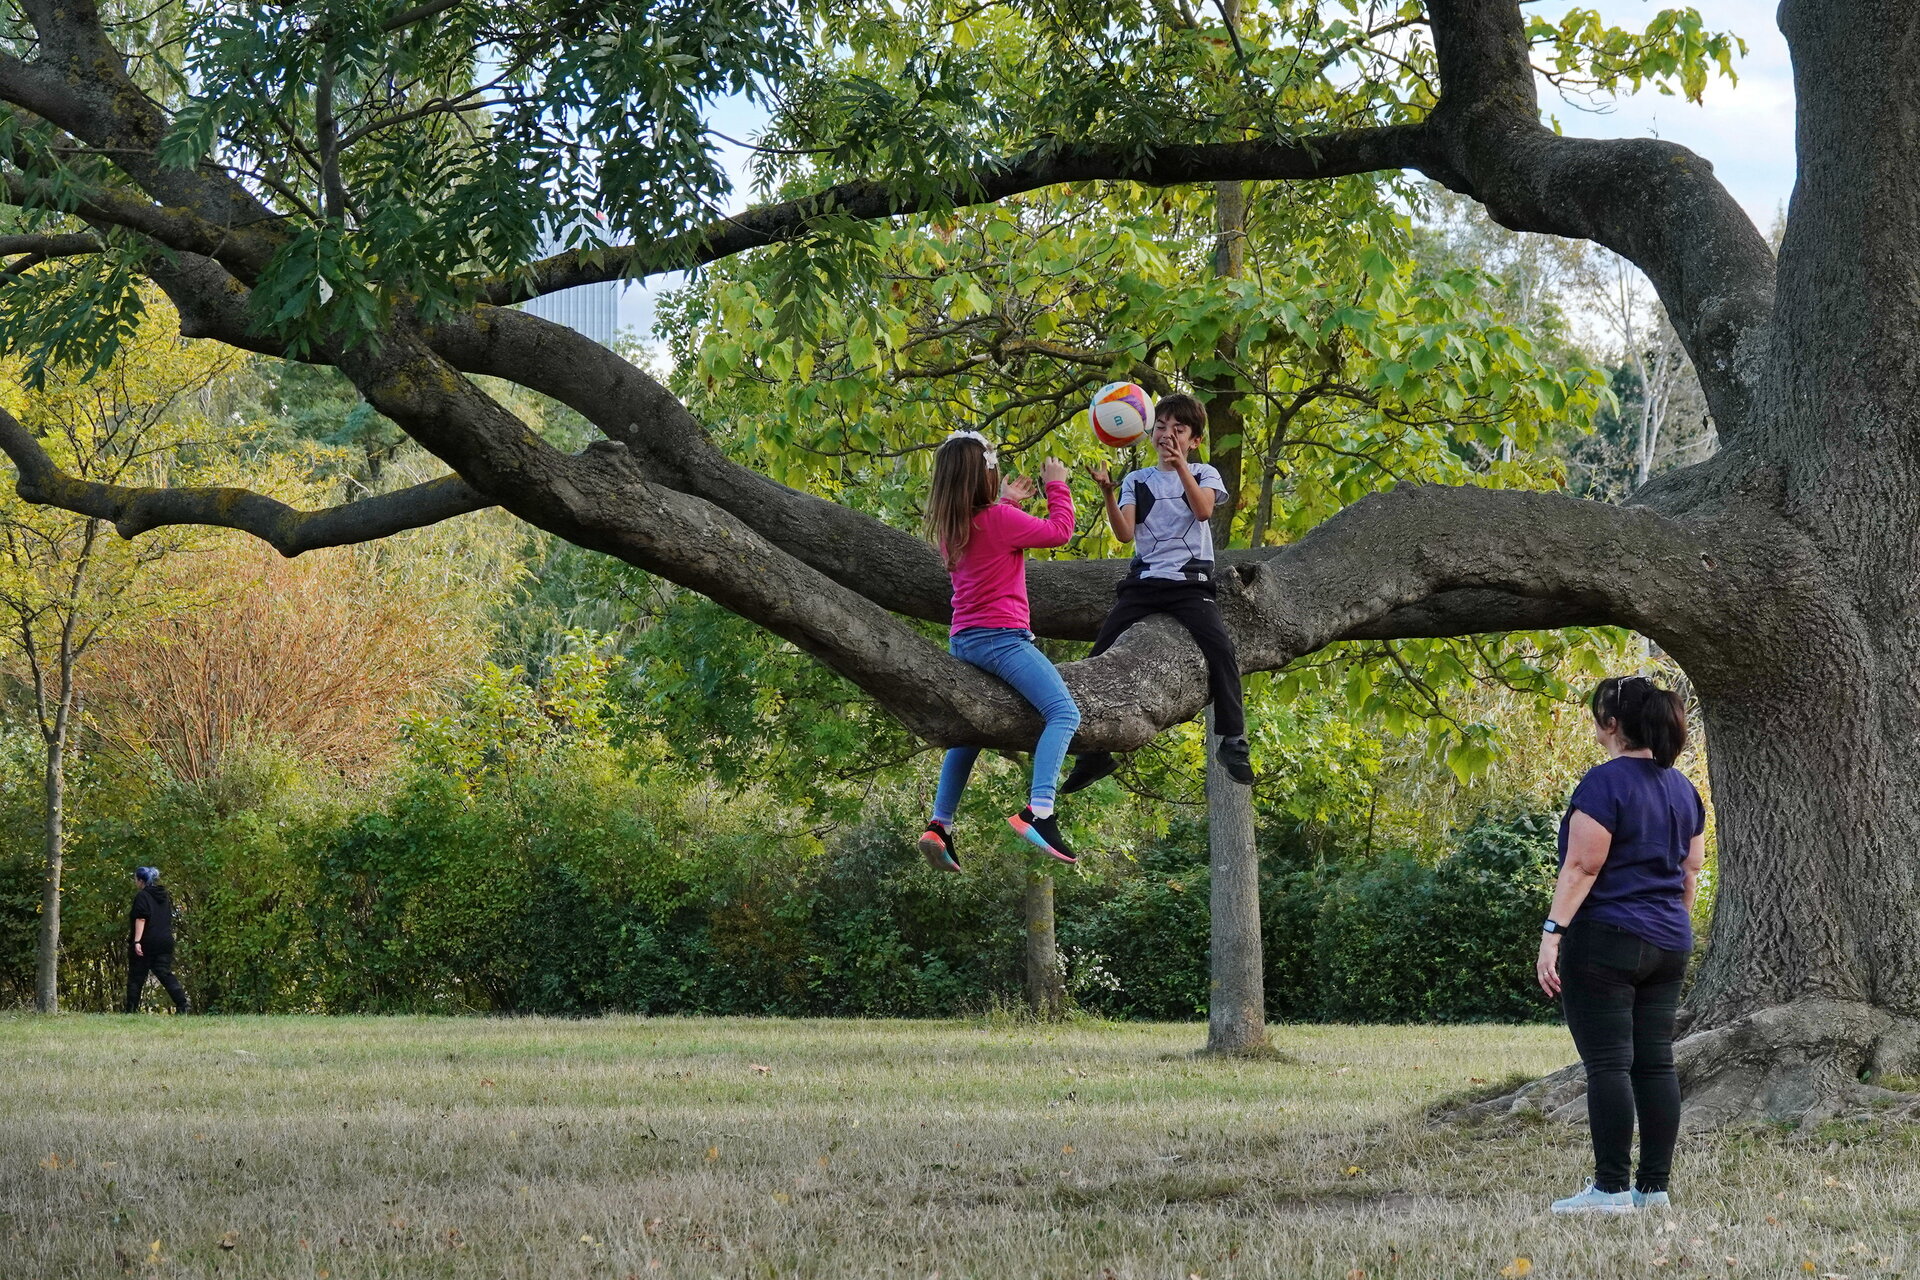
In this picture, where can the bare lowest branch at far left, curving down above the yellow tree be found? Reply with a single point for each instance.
(289, 531)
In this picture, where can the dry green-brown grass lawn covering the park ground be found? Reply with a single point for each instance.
(348, 1149)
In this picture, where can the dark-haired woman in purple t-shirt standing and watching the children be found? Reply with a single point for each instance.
(1631, 843)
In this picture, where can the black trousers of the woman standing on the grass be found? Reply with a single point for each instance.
(1621, 995)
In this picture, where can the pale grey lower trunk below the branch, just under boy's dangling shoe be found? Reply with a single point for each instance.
(1237, 993)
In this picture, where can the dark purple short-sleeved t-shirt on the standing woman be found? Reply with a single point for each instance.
(1654, 815)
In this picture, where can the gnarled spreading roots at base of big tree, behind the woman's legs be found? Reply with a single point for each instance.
(1792, 1064)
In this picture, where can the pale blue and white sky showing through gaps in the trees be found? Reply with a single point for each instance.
(1744, 130)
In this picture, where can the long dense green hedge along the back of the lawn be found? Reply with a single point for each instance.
(577, 888)
